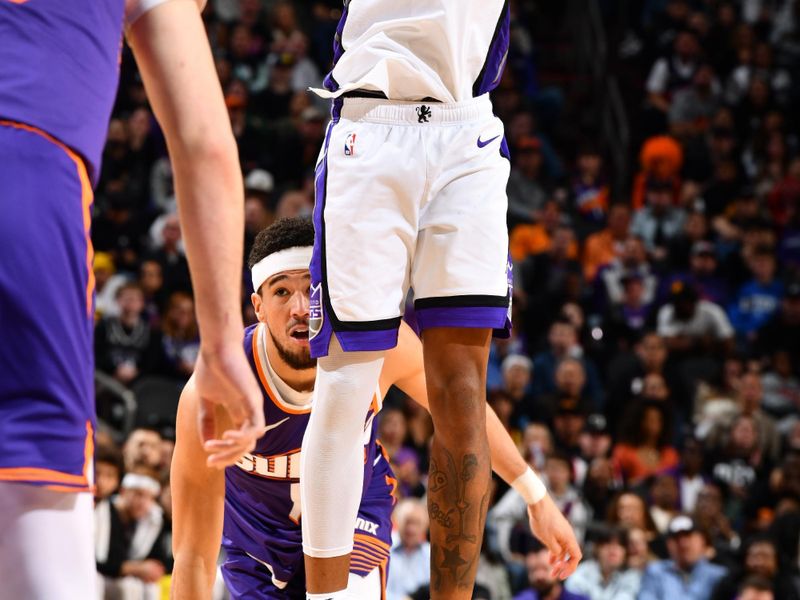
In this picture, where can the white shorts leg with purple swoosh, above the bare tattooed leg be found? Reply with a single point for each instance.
(459, 274)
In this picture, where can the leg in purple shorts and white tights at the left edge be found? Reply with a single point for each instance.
(46, 388)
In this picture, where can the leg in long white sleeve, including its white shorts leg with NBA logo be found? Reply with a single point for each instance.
(365, 232)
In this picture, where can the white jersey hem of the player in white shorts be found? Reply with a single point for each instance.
(445, 50)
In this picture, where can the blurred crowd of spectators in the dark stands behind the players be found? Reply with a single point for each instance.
(653, 375)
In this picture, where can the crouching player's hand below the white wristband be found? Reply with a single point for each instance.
(554, 531)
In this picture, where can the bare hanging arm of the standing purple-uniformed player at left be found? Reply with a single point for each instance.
(172, 52)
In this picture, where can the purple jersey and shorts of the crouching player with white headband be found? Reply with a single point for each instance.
(262, 492)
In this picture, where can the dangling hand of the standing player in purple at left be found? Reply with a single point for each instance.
(223, 377)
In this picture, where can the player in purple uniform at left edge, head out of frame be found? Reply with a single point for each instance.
(58, 78)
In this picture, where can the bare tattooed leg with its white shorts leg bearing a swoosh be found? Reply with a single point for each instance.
(461, 285)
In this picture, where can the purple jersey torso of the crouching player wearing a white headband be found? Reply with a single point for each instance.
(262, 493)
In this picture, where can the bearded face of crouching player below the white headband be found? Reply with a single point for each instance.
(283, 306)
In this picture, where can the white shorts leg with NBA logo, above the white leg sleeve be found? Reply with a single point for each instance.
(368, 185)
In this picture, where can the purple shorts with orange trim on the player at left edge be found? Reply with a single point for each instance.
(46, 290)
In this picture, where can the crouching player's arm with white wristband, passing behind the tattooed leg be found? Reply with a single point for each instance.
(404, 368)
